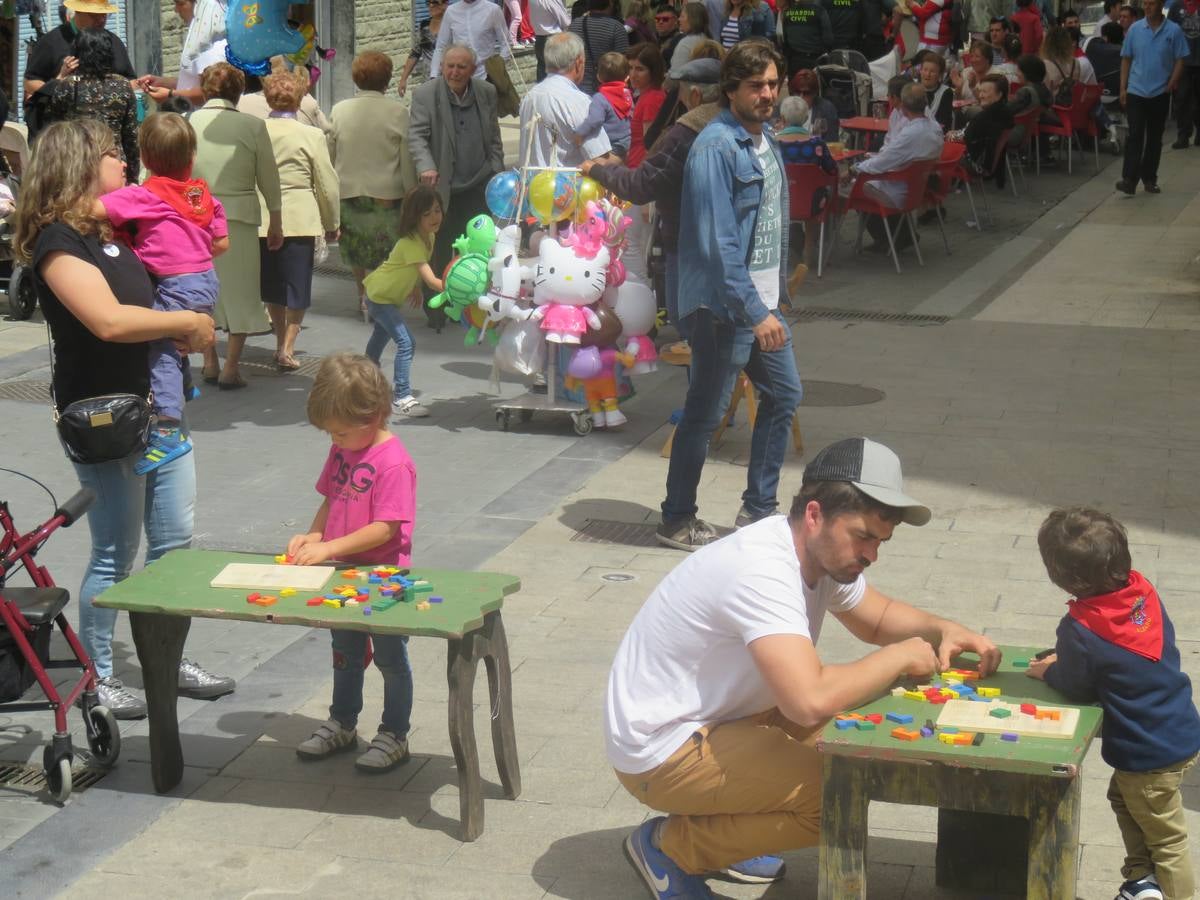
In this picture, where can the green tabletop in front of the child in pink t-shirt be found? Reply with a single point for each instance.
(178, 585)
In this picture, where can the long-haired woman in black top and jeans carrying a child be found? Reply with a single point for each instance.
(98, 298)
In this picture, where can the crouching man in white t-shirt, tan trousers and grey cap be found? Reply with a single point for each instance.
(717, 693)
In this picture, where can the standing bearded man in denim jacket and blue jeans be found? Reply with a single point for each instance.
(733, 265)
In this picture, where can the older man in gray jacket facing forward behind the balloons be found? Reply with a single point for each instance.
(455, 139)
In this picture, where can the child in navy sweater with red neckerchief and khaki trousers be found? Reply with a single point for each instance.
(1117, 647)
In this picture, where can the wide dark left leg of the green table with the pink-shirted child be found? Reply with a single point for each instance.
(160, 645)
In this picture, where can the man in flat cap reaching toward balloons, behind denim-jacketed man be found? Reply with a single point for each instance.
(659, 179)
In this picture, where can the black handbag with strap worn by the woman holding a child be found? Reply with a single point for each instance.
(111, 427)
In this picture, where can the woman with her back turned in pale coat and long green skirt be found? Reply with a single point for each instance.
(235, 155)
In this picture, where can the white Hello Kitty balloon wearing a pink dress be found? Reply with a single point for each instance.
(565, 287)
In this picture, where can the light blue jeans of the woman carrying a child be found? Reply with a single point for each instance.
(163, 503)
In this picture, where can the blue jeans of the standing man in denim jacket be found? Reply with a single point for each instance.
(719, 352)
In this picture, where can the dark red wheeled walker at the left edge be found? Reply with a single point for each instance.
(29, 616)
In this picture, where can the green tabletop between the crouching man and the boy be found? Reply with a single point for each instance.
(1034, 755)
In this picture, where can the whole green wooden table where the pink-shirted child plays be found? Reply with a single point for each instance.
(164, 598)
